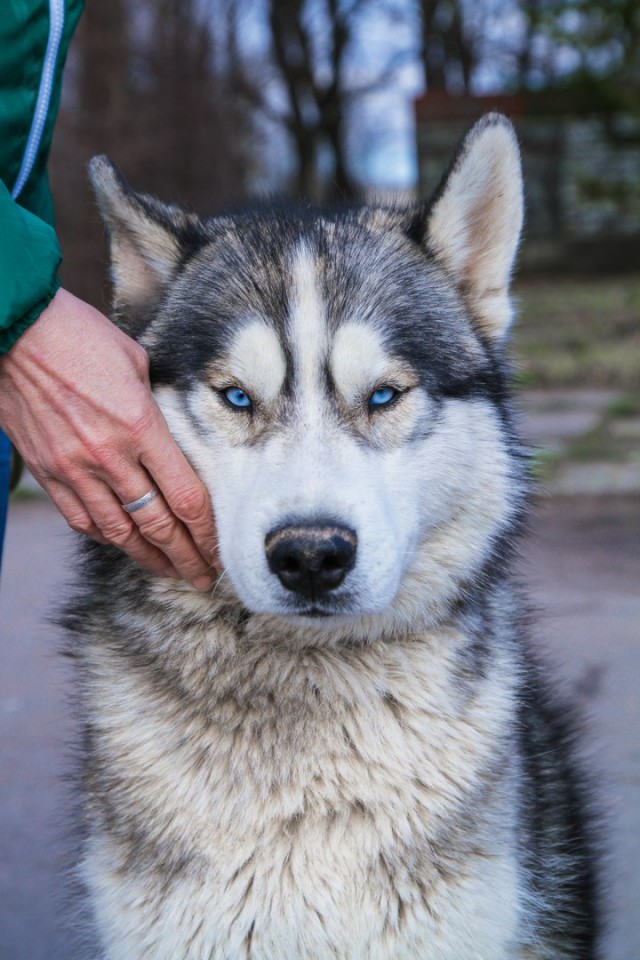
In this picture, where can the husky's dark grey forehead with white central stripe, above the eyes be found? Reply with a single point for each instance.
(307, 278)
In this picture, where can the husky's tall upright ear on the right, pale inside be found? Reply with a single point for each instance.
(474, 223)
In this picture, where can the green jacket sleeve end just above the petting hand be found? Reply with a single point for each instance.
(29, 260)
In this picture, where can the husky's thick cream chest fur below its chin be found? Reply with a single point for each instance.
(307, 803)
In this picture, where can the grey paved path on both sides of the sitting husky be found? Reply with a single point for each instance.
(583, 563)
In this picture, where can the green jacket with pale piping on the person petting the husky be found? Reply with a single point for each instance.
(34, 38)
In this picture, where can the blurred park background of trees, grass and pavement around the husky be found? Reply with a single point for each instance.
(211, 103)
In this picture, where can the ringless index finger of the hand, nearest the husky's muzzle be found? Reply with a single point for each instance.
(182, 489)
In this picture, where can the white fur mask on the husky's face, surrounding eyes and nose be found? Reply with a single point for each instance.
(424, 494)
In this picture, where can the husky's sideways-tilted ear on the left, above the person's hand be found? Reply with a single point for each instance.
(149, 241)
